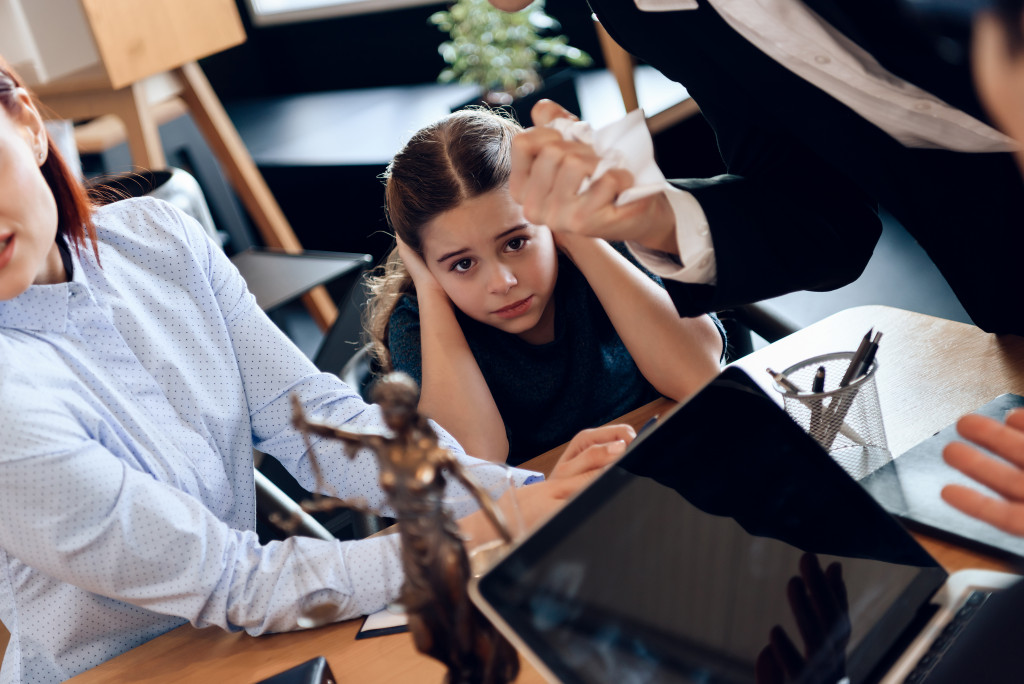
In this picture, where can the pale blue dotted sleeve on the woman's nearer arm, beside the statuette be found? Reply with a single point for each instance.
(73, 510)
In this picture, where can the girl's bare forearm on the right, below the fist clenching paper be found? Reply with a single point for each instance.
(677, 356)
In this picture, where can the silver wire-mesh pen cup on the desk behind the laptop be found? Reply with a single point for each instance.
(846, 421)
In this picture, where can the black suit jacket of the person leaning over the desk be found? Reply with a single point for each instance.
(797, 210)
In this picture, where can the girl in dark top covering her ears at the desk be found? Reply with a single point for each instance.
(518, 338)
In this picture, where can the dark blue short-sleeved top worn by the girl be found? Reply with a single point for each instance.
(545, 394)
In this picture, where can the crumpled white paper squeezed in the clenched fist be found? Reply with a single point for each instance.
(622, 145)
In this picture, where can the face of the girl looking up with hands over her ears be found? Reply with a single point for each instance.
(494, 266)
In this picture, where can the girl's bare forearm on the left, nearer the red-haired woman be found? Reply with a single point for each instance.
(454, 393)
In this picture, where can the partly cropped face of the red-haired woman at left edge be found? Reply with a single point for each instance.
(28, 212)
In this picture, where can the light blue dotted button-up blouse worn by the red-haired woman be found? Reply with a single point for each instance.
(131, 402)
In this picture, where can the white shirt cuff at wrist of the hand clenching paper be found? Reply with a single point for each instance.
(697, 254)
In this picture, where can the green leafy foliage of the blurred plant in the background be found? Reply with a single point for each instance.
(504, 54)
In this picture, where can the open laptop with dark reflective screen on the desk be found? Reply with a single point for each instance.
(728, 547)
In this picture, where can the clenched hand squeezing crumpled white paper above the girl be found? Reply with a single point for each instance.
(547, 174)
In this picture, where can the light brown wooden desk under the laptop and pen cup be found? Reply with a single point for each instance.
(931, 372)
